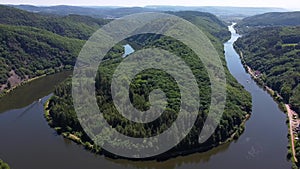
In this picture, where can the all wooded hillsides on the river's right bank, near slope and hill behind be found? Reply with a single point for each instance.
(271, 46)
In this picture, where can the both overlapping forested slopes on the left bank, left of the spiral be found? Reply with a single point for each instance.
(32, 44)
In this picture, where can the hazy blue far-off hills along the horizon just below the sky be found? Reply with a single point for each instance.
(115, 12)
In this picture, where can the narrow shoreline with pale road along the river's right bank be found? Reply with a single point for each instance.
(278, 99)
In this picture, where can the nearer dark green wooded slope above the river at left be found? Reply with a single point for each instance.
(33, 52)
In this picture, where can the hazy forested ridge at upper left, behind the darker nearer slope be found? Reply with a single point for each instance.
(74, 26)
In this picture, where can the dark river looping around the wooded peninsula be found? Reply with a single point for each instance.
(27, 142)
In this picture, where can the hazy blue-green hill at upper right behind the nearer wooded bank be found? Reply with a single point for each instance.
(270, 19)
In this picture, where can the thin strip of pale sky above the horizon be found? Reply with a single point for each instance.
(288, 4)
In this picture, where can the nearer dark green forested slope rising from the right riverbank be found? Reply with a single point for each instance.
(275, 53)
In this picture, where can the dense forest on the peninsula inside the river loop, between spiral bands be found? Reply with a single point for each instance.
(63, 117)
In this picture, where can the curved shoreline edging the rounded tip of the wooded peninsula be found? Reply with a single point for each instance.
(163, 157)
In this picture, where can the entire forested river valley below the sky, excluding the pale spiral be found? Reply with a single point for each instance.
(260, 55)
